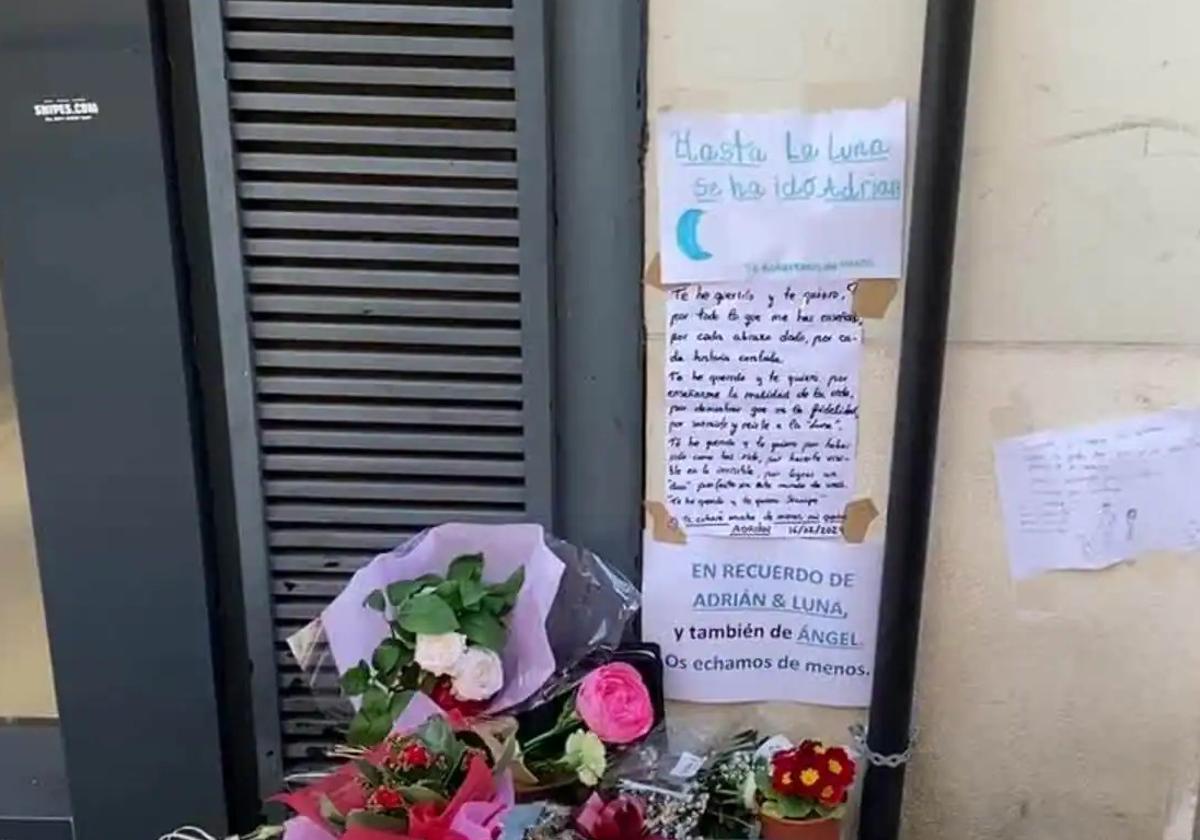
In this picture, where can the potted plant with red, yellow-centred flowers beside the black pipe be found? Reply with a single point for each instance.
(802, 793)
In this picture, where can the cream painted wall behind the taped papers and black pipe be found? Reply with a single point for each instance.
(1069, 706)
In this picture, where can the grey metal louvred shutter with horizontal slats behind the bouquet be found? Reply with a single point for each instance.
(391, 165)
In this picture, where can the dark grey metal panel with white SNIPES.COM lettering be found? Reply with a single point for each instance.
(99, 337)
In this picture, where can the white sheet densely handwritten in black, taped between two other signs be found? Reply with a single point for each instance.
(761, 409)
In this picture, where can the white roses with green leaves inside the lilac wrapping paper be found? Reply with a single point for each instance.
(445, 639)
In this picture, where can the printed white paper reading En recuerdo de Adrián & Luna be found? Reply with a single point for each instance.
(764, 620)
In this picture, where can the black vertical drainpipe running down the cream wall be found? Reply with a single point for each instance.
(943, 116)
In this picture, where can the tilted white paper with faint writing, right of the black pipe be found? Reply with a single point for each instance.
(1094, 496)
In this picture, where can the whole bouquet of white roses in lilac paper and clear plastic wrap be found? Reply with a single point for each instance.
(484, 620)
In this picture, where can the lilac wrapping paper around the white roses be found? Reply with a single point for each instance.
(353, 631)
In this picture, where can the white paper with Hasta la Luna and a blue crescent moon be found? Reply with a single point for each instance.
(783, 196)
